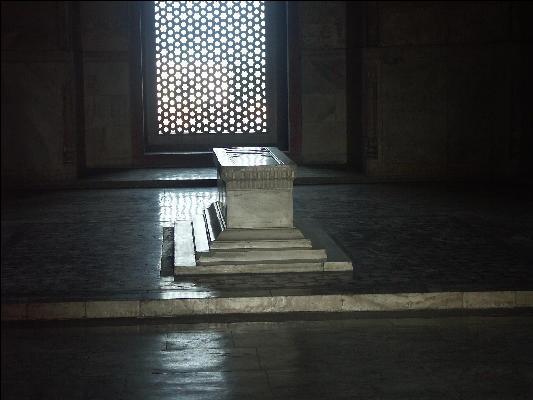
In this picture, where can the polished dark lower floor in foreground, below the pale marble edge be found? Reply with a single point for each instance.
(393, 357)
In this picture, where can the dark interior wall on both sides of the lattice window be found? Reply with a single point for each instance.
(397, 88)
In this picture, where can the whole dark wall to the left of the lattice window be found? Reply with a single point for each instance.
(65, 89)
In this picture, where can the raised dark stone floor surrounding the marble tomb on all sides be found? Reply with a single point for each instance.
(106, 244)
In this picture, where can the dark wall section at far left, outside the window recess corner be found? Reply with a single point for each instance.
(38, 92)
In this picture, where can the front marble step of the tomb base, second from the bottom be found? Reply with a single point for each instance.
(281, 256)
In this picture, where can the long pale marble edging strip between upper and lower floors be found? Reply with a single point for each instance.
(266, 304)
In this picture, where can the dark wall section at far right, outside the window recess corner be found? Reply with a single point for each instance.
(442, 88)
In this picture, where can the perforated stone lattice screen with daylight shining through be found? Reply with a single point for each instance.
(210, 67)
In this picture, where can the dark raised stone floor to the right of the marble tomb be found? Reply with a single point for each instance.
(429, 237)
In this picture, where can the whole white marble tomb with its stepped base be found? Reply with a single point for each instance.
(250, 228)
